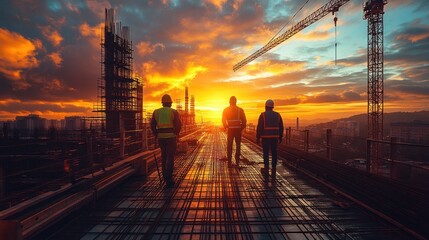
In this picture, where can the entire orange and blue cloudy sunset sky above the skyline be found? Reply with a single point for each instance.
(50, 56)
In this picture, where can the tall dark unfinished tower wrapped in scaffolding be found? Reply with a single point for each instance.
(120, 93)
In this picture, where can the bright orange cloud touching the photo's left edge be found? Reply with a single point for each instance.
(17, 54)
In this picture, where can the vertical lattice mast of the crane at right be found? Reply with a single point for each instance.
(373, 12)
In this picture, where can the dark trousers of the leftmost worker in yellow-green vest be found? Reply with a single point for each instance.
(168, 149)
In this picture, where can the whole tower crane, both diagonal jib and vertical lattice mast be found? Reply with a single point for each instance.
(373, 12)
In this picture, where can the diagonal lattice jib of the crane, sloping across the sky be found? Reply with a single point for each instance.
(330, 7)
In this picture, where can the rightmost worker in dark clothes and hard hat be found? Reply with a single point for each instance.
(270, 129)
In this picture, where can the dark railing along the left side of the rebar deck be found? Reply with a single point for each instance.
(33, 166)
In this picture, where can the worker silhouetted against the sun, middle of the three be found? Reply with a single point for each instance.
(234, 120)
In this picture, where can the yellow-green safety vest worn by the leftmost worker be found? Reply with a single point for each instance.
(164, 122)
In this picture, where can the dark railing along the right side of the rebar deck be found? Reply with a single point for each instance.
(404, 161)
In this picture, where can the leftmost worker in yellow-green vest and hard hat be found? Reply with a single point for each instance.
(166, 125)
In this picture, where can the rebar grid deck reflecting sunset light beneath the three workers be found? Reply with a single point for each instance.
(212, 201)
